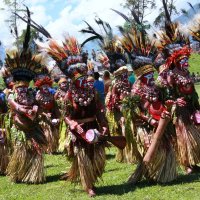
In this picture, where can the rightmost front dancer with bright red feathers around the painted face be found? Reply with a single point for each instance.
(179, 84)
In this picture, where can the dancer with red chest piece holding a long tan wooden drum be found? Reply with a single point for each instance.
(151, 114)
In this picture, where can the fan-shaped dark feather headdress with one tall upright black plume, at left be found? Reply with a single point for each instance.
(21, 63)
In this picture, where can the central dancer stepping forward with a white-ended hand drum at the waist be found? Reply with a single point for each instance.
(83, 114)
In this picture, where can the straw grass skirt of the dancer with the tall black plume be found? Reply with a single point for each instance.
(26, 165)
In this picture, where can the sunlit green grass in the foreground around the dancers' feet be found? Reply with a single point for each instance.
(112, 187)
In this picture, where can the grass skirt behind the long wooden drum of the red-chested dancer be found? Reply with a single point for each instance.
(162, 168)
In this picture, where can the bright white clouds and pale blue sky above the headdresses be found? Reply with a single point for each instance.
(70, 18)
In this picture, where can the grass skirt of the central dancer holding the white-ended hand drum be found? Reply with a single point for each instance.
(88, 163)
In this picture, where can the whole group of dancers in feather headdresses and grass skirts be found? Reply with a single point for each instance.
(155, 123)
